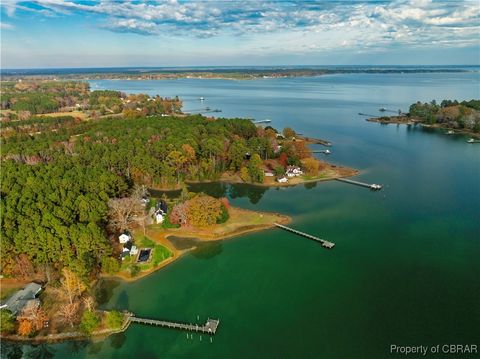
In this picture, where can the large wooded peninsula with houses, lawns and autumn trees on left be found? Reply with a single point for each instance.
(78, 167)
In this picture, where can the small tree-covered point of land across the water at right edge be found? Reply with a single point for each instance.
(456, 117)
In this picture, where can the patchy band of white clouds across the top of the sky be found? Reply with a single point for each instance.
(309, 25)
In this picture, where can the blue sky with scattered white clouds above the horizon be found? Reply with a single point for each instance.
(61, 33)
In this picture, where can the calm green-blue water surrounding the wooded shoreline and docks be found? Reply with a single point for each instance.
(406, 266)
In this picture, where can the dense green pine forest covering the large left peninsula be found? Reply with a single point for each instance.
(56, 184)
